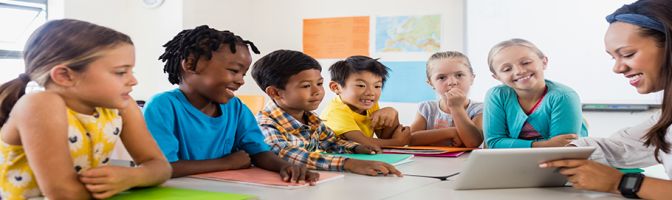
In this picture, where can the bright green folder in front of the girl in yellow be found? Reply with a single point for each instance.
(169, 193)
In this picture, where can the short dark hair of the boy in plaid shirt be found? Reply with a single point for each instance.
(275, 68)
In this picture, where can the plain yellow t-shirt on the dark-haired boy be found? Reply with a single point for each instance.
(340, 118)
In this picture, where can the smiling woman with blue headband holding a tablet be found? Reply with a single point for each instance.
(639, 40)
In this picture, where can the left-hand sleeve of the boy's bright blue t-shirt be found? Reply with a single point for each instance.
(160, 117)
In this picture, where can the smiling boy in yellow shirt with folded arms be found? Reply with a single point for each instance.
(354, 114)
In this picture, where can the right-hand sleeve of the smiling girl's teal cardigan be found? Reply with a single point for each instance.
(566, 115)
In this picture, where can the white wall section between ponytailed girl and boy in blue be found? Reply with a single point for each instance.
(149, 28)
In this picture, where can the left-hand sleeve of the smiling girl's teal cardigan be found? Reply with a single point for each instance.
(495, 125)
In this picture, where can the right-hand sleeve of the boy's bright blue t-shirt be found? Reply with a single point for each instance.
(248, 134)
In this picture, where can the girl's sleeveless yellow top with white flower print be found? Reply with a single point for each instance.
(91, 139)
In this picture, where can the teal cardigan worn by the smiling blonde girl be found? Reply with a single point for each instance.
(503, 118)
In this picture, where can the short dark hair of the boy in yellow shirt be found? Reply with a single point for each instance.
(341, 70)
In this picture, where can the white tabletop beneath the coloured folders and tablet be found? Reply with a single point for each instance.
(354, 186)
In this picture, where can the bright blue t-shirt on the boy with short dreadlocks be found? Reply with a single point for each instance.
(185, 133)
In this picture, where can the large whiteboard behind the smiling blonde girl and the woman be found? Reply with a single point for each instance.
(569, 32)
